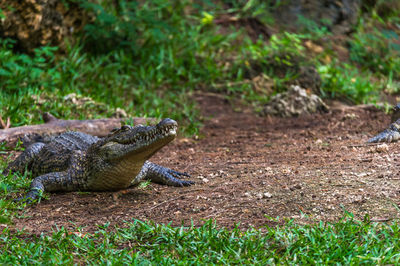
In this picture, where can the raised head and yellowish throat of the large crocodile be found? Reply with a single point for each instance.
(119, 157)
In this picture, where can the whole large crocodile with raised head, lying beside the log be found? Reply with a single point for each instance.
(75, 161)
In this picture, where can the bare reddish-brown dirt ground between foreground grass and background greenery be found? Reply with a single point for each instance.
(248, 168)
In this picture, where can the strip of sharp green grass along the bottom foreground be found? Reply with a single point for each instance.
(345, 242)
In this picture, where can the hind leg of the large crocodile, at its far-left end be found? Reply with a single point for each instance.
(24, 160)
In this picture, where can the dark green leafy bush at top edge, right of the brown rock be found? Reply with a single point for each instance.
(130, 26)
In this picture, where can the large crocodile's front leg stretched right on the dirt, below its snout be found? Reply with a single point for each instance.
(161, 175)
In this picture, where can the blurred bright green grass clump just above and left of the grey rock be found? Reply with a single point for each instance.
(279, 61)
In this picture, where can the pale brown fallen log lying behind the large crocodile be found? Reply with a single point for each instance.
(54, 126)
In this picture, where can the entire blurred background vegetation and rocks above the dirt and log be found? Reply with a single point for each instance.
(150, 58)
